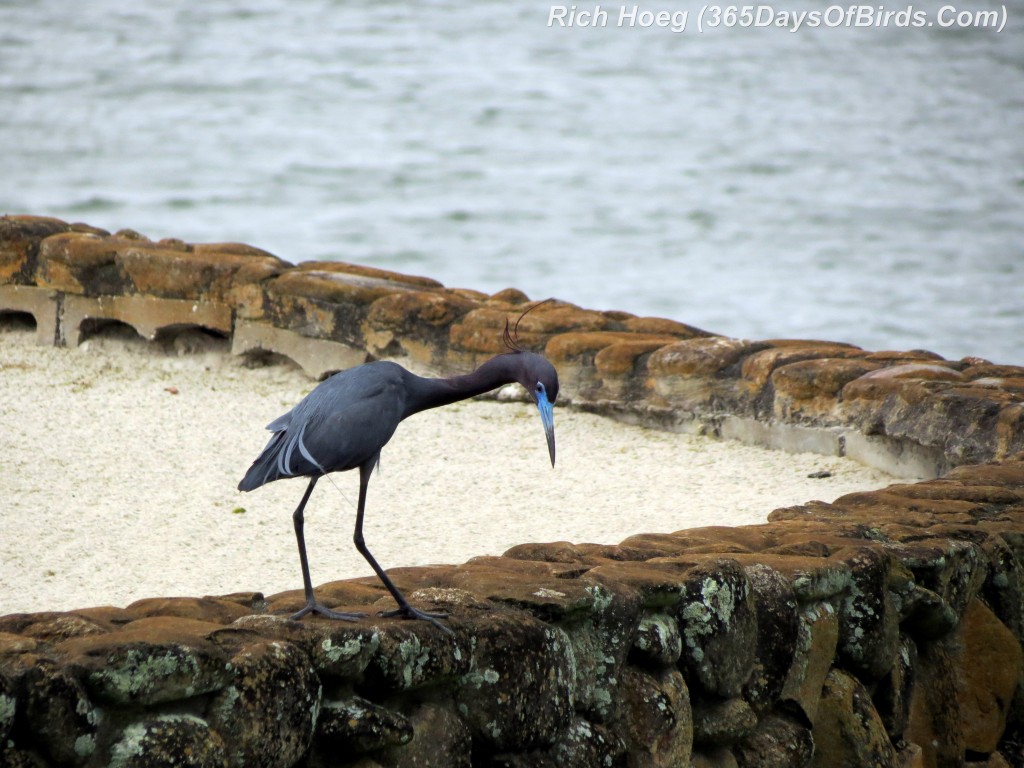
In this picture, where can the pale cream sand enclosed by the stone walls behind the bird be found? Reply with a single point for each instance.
(114, 489)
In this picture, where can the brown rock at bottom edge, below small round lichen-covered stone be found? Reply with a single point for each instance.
(658, 722)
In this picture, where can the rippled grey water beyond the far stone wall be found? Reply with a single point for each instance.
(864, 185)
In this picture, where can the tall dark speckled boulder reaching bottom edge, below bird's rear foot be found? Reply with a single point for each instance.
(269, 712)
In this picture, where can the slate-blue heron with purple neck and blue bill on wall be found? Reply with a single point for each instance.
(349, 418)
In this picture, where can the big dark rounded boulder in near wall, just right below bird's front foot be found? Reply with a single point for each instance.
(522, 700)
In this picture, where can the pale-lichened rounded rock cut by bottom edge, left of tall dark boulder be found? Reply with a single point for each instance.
(169, 742)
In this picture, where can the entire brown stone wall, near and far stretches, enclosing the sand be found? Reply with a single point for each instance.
(884, 629)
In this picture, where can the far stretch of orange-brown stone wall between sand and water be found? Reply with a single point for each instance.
(908, 408)
